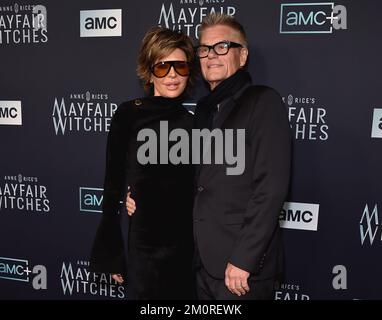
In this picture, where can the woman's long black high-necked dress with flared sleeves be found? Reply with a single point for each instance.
(160, 241)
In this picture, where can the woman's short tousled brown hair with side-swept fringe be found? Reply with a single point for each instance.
(157, 43)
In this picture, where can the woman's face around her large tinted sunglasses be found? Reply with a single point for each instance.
(173, 84)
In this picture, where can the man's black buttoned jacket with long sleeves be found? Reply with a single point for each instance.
(236, 217)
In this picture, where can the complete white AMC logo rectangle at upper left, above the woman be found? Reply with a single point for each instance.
(101, 23)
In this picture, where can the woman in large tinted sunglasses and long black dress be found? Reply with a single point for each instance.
(159, 262)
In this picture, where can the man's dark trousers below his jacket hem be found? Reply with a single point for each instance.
(210, 288)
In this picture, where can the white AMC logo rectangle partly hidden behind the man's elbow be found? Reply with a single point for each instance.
(301, 216)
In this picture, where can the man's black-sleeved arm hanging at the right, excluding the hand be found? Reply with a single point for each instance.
(270, 141)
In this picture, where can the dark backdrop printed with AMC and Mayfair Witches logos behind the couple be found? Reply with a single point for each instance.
(66, 66)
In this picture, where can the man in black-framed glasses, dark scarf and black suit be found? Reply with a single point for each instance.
(239, 252)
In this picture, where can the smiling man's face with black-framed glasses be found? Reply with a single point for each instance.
(216, 68)
